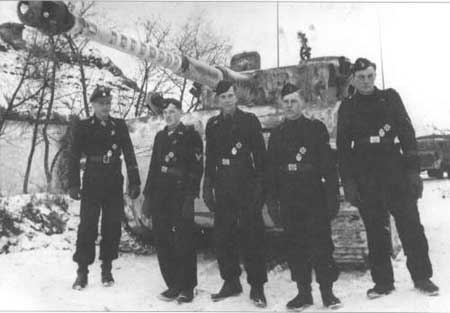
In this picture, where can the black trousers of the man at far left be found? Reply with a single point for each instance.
(103, 195)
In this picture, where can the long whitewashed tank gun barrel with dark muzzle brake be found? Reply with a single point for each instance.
(53, 18)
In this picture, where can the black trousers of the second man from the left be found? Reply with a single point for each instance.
(174, 239)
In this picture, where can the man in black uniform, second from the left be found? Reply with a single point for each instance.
(173, 183)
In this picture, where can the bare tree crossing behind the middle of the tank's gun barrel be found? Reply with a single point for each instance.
(195, 38)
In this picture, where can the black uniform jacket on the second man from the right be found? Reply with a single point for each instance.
(301, 164)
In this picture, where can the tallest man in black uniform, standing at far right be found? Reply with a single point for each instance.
(379, 167)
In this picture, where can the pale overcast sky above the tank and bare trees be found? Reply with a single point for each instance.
(414, 38)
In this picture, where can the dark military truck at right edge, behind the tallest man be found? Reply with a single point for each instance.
(434, 153)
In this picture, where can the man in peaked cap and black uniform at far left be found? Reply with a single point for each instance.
(102, 139)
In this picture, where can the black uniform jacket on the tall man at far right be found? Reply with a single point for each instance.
(375, 133)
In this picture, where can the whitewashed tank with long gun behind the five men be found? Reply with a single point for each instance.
(324, 81)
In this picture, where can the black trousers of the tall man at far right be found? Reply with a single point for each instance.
(383, 193)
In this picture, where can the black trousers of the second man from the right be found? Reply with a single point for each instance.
(309, 243)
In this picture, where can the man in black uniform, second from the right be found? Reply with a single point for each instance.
(302, 177)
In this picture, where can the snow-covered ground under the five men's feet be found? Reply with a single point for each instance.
(41, 279)
